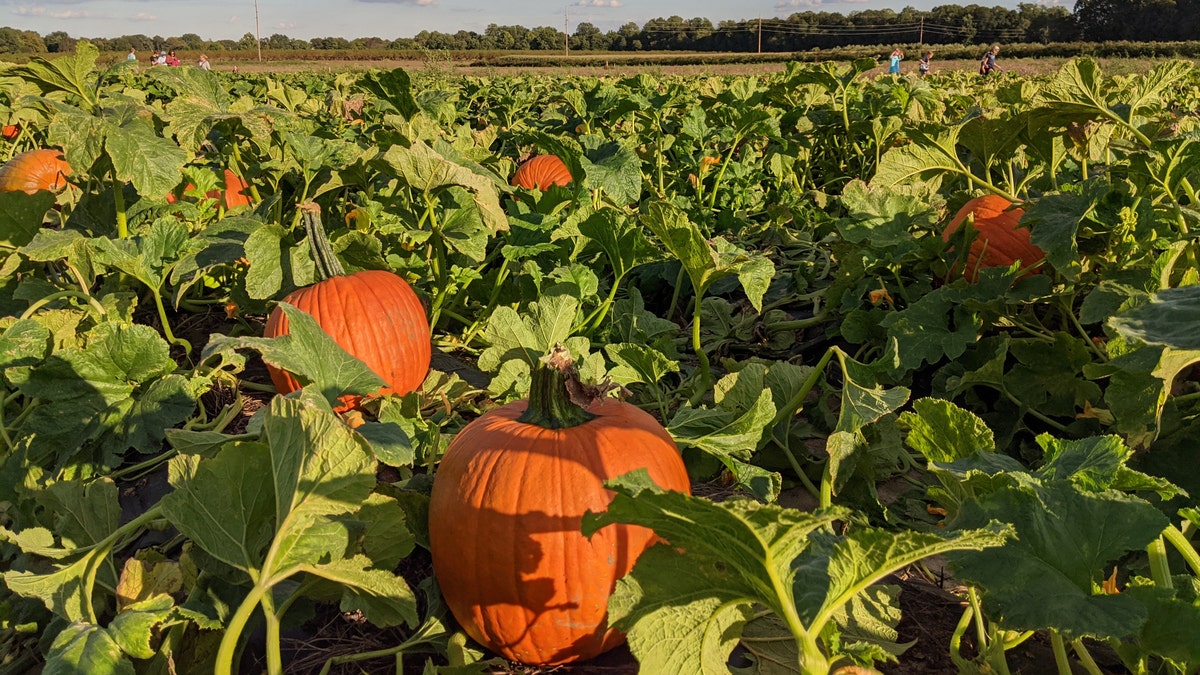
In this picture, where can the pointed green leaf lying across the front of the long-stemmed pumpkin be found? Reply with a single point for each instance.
(310, 355)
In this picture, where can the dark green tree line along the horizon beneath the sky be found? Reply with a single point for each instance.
(947, 25)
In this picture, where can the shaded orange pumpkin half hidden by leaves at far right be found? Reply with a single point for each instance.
(998, 241)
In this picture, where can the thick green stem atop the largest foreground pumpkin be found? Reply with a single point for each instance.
(556, 393)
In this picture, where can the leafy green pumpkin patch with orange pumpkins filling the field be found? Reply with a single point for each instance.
(406, 373)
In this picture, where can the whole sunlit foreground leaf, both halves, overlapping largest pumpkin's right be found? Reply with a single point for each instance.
(685, 605)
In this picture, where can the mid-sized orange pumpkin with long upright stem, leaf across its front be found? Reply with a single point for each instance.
(374, 315)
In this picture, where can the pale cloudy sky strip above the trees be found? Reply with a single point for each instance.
(219, 20)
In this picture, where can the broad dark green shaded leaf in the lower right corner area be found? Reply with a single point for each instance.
(1066, 540)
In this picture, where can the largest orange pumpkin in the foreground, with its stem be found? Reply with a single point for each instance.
(508, 501)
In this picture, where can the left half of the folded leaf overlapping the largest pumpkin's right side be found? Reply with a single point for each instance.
(688, 613)
